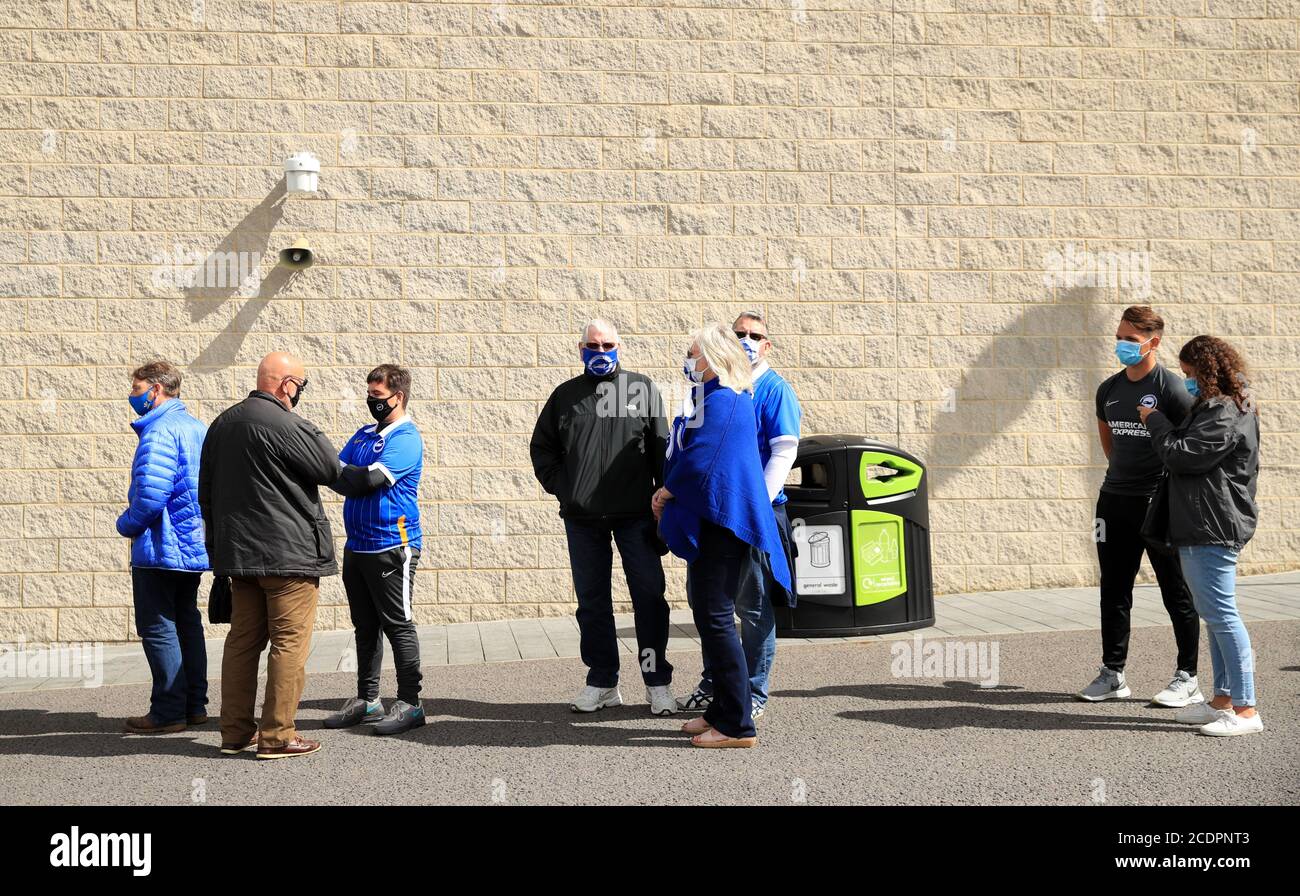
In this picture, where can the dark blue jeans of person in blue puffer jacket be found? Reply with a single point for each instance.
(171, 630)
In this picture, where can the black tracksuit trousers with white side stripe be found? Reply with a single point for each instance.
(379, 599)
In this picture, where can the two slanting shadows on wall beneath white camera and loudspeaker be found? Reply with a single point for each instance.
(241, 249)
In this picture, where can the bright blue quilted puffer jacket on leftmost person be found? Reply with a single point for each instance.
(163, 517)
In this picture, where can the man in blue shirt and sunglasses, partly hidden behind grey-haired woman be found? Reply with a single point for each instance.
(778, 414)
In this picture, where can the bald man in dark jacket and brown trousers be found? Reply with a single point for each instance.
(259, 491)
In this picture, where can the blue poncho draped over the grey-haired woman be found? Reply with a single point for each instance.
(714, 474)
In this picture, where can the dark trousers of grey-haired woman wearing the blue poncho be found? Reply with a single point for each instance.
(717, 578)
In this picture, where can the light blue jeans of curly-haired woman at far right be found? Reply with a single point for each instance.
(1211, 573)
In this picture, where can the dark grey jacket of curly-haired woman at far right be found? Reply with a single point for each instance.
(1214, 464)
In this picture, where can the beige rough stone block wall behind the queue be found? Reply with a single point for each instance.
(887, 179)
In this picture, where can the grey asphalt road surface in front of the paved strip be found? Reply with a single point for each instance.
(842, 729)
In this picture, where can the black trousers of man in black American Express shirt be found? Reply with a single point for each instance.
(1120, 549)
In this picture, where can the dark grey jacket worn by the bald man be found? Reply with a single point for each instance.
(258, 490)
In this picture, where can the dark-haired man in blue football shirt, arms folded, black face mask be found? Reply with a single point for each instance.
(380, 483)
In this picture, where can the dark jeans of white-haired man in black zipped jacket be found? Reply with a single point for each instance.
(592, 562)
